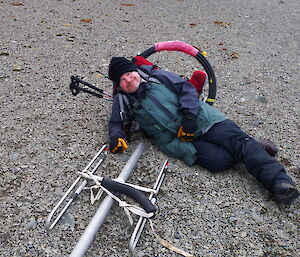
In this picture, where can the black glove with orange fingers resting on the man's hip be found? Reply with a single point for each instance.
(188, 127)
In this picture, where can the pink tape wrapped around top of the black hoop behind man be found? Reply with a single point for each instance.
(176, 46)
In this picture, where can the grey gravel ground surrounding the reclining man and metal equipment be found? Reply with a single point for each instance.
(47, 135)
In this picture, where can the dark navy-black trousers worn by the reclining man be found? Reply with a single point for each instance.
(225, 144)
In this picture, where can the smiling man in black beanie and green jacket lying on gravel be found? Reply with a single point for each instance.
(168, 109)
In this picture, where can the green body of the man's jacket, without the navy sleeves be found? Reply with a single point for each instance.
(160, 117)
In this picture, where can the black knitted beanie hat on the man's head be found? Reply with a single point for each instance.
(118, 66)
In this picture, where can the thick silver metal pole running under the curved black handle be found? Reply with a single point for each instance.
(90, 232)
